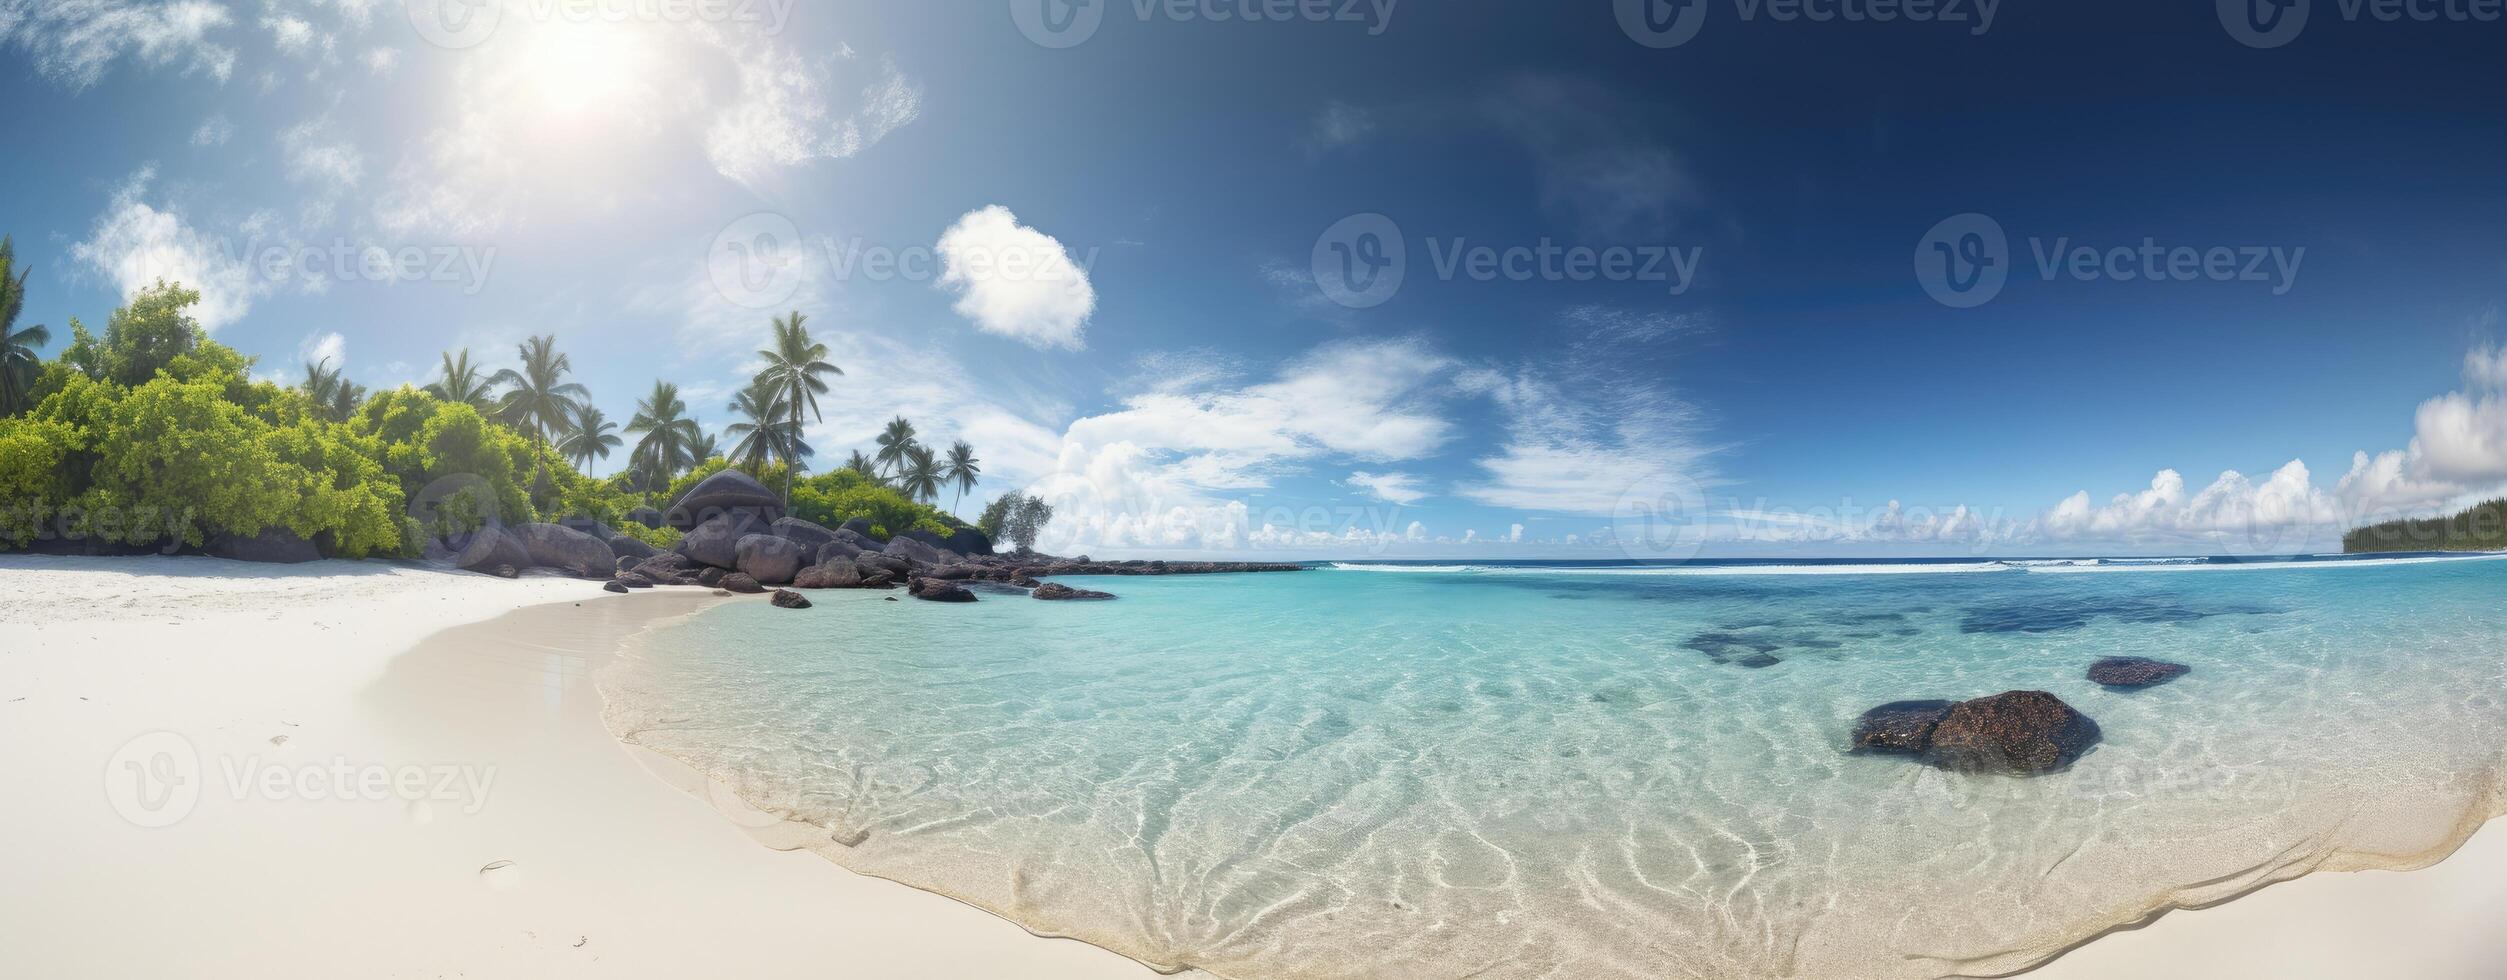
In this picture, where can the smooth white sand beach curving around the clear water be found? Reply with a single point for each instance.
(262, 771)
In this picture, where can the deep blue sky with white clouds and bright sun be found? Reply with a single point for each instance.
(1766, 375)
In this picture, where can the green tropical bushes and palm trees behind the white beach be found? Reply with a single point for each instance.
(152, 437)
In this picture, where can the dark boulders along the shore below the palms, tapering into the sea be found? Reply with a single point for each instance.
(741, 540)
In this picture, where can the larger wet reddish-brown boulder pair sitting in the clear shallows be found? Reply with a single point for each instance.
(2017, 733)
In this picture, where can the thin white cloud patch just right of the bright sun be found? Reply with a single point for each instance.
(786, 114)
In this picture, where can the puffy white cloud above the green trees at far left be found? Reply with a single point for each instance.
(139, 244)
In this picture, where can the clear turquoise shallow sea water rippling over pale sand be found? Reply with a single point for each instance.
(1483, 771)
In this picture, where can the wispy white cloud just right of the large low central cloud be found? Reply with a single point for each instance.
(1593, 432)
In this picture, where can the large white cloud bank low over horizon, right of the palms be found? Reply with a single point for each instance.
(1152, 472)
